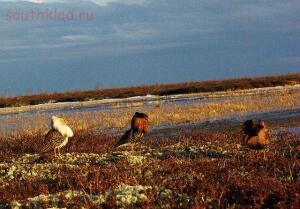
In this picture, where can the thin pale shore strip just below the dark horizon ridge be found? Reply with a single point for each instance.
(143, 100)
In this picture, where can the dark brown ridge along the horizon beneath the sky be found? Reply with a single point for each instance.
(159, 89)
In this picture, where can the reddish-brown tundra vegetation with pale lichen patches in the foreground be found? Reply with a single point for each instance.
(198, 169)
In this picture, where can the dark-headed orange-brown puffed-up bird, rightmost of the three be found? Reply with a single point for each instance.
(257, 134)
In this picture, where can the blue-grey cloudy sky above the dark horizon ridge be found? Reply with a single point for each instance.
(63, 45)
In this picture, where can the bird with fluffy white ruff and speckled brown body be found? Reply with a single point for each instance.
(58, 136)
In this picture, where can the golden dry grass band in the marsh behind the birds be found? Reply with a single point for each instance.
(96, 121)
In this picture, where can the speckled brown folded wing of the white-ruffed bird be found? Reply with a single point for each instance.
(52, 139)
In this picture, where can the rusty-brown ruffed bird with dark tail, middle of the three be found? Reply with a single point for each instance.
(139, 127)
